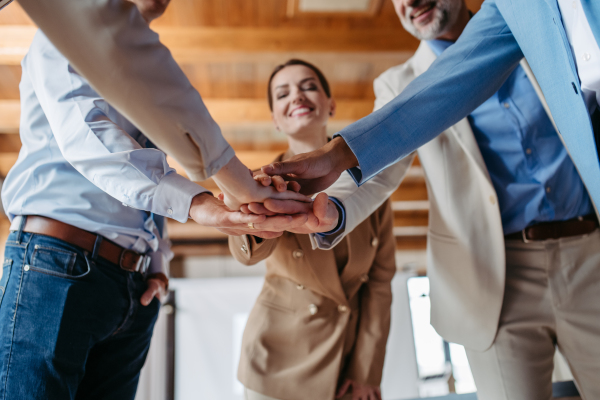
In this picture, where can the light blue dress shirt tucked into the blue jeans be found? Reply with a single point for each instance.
(84, 164)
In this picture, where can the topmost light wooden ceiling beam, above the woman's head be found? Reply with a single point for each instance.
(193, 44)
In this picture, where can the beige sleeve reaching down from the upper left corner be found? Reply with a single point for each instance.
(110, 44)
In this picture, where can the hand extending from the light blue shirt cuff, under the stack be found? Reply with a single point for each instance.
(207, 210)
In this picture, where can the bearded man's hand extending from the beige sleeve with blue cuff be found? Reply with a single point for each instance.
(323, 215)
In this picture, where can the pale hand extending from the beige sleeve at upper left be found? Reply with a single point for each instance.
(239, 187)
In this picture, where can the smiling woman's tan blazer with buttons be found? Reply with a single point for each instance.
(309, 323)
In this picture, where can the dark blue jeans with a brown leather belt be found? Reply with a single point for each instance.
(70, 327)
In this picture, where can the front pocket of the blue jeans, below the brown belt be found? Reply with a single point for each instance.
(58, 262)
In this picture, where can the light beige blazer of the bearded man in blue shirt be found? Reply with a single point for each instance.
(465, 243)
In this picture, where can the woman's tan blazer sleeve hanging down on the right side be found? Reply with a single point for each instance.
(366, 361)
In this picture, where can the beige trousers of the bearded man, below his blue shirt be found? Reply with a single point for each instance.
(552, 298)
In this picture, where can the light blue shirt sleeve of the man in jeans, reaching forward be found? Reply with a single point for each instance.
(102, 151)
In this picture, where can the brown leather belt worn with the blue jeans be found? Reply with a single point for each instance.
(128, 260)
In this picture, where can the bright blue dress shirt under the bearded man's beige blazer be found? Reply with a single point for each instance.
(533, 175)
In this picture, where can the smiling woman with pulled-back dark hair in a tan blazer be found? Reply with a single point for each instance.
(319, 327)
